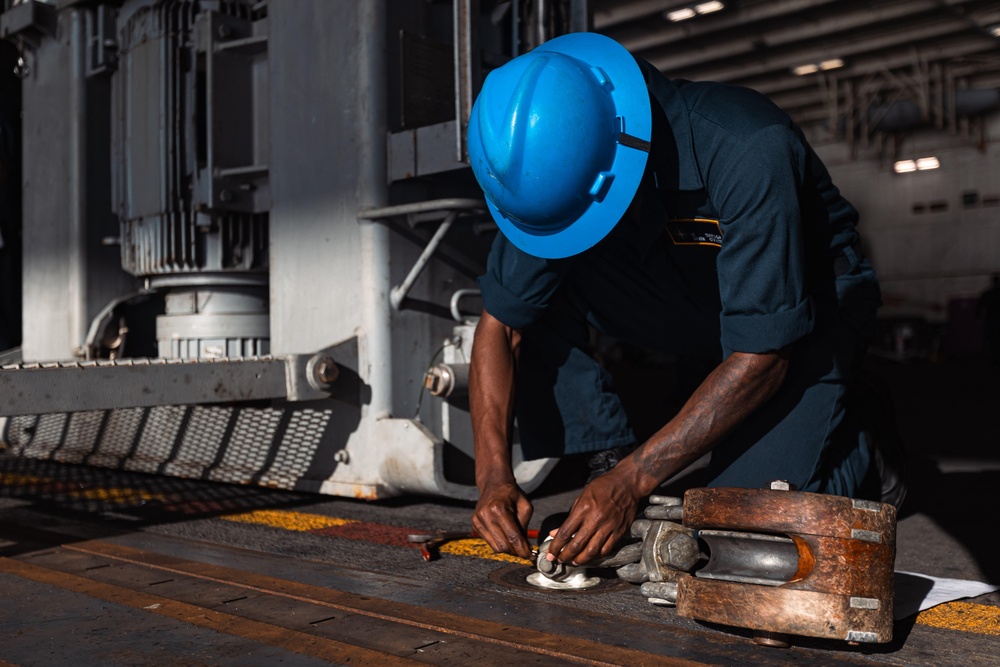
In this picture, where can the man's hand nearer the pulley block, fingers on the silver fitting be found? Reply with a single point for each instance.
(603, 513)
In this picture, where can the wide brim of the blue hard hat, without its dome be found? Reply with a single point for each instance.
(631, 103)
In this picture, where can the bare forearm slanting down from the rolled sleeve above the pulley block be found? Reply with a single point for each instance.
(737, 387)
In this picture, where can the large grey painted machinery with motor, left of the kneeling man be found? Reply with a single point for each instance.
(249, 230)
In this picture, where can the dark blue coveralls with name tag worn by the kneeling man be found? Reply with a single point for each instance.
(743, 244)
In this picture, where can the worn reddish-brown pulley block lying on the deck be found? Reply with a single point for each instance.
(842, 583)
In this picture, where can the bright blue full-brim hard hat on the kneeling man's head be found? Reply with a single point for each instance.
(558, 140)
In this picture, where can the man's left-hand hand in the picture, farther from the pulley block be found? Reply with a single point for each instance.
(501, 518)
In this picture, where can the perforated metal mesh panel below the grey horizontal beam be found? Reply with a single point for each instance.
(273, 446)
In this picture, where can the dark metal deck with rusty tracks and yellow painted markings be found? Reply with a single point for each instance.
(112, 568)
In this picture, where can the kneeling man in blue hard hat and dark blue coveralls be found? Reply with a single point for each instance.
(687, 217)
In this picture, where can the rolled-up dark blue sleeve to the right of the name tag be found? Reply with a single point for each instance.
(762, 265)
